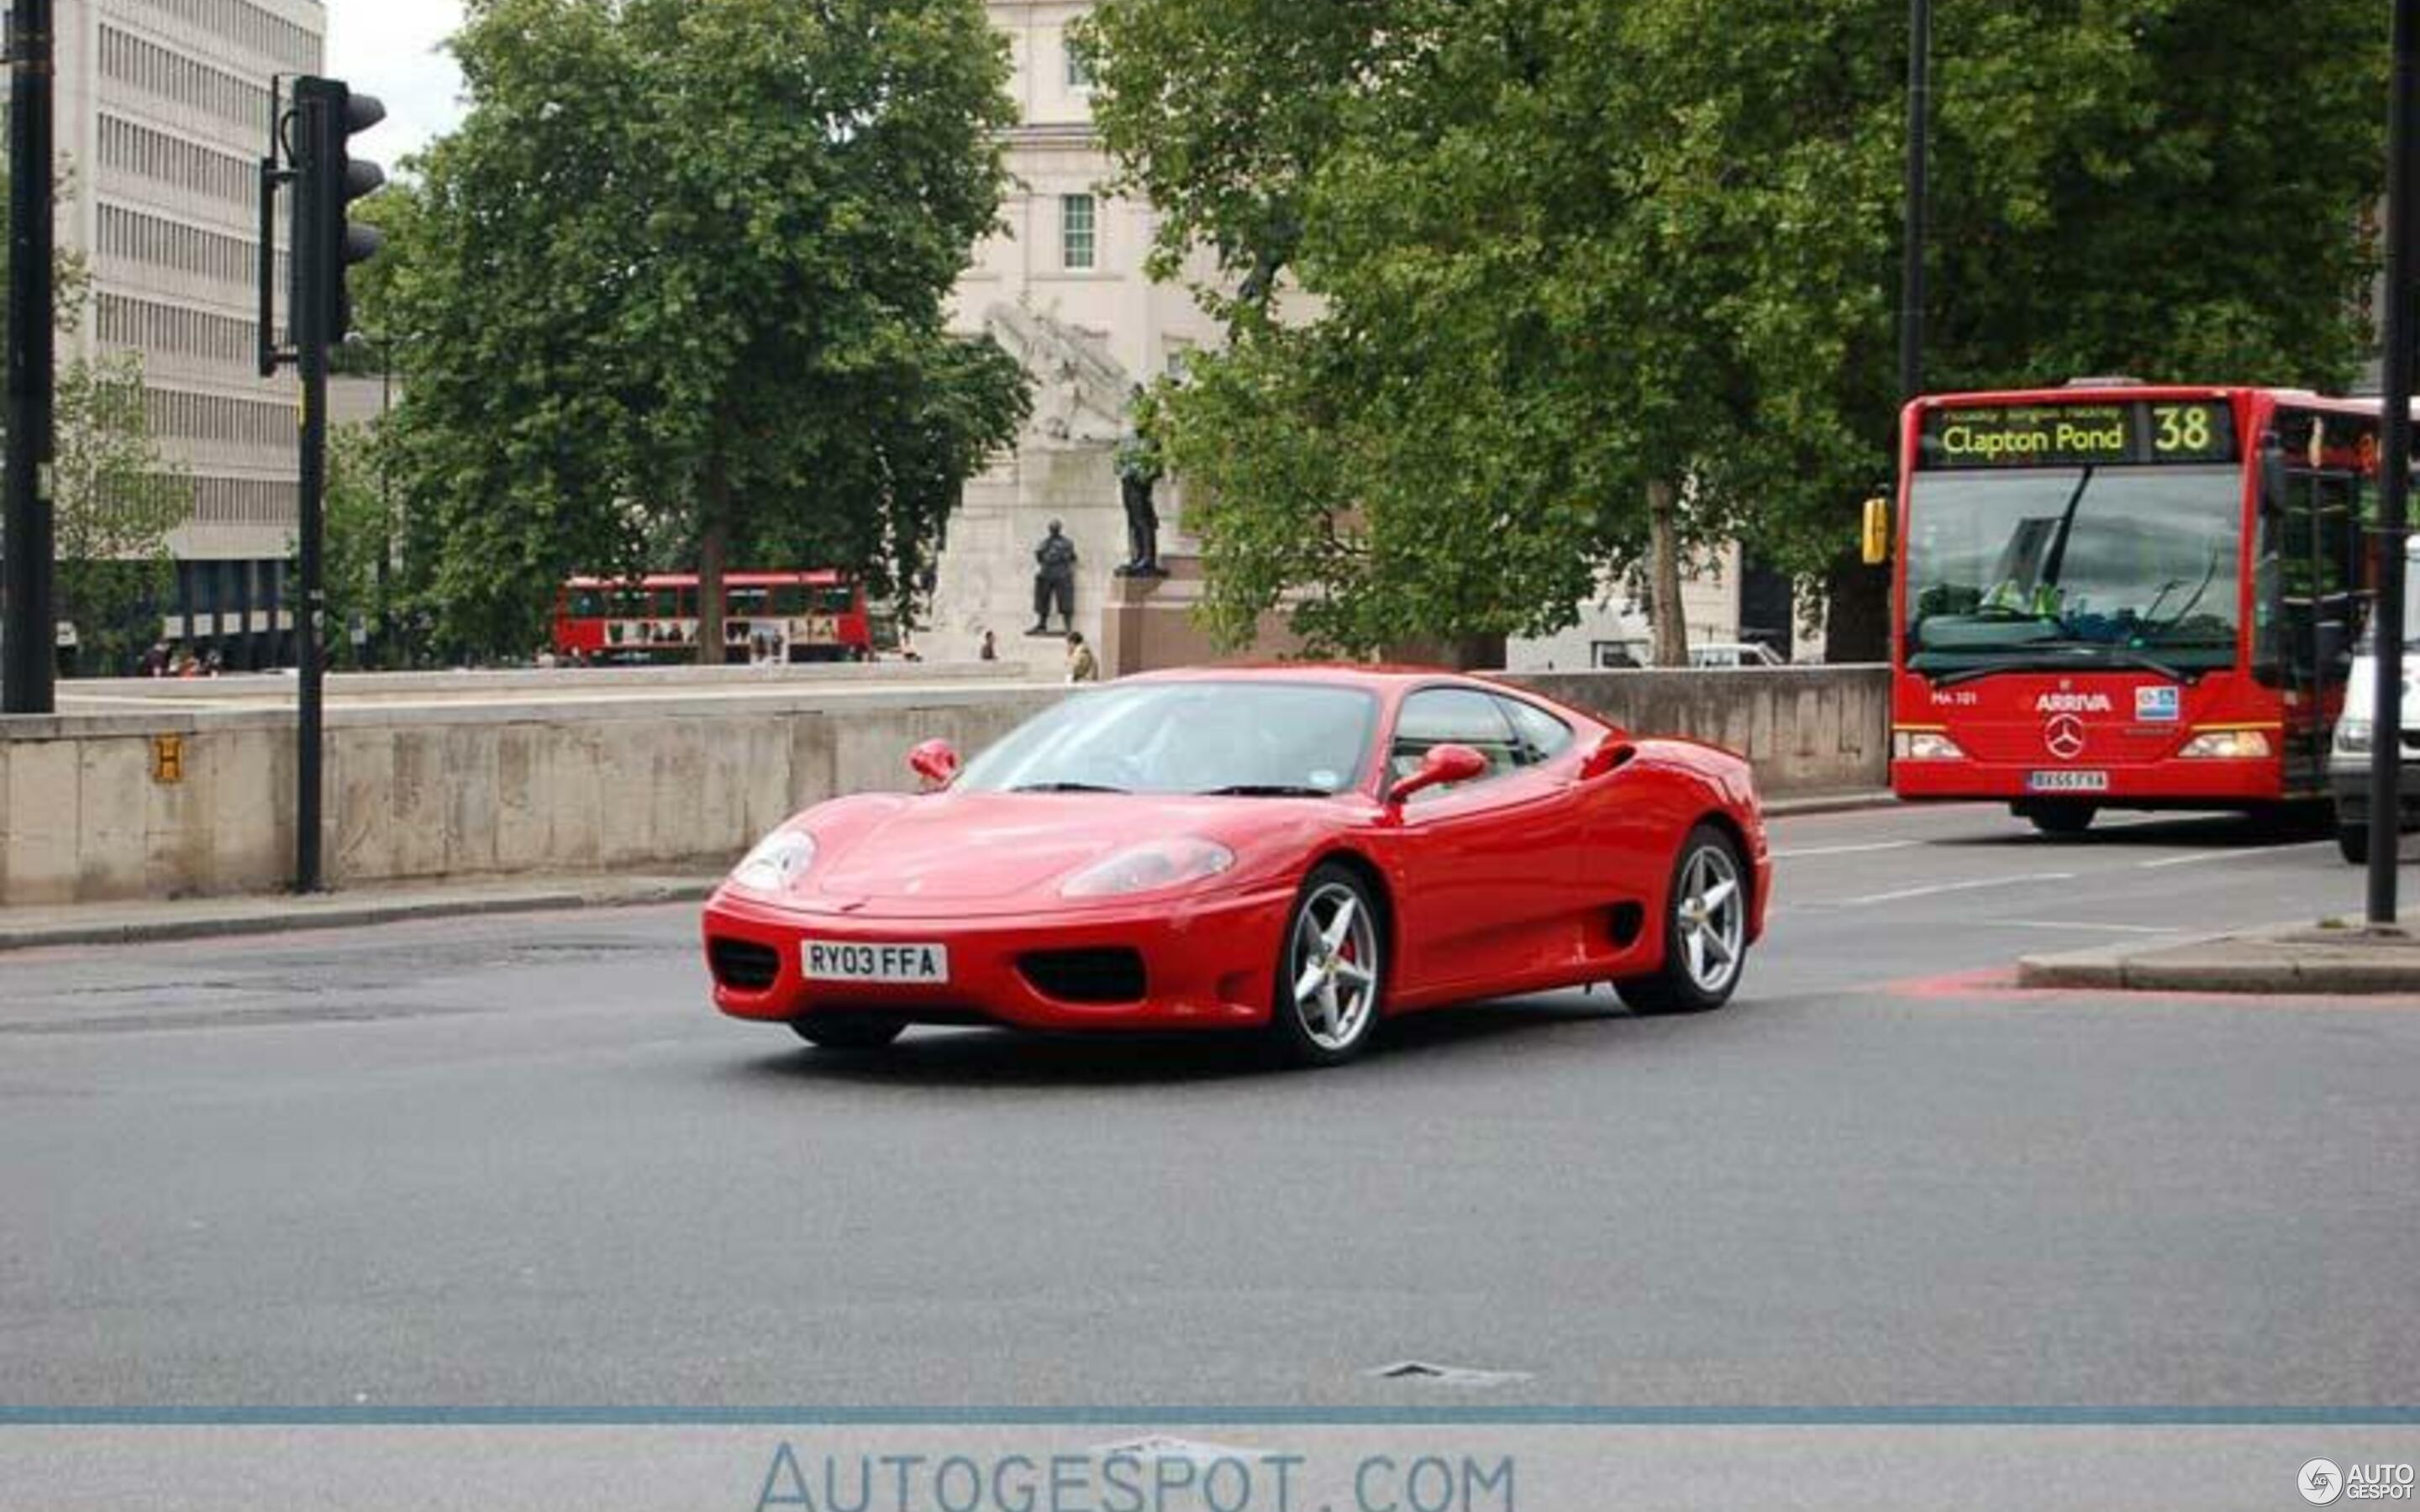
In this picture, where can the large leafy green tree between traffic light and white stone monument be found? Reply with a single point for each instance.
(684, 277)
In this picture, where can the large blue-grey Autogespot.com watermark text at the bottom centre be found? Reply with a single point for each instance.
(1131, 1482)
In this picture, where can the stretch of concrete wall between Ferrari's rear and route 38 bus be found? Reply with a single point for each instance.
(1807, 729)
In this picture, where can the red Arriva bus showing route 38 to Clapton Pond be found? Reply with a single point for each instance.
(2119, 596)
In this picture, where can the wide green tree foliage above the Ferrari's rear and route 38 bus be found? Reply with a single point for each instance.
(1502, 272)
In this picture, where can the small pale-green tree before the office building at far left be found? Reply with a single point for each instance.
(115, 497)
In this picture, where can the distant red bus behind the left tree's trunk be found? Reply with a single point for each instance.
(780, 618)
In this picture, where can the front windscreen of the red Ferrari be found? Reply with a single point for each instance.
(1243, 739)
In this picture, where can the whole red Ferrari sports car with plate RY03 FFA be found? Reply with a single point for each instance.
(1293, 850)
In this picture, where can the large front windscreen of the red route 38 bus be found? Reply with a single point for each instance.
(2075, 565)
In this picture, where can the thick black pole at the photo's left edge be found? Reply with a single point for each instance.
(28, 671)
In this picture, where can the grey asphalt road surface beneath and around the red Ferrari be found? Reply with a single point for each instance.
(522, 1162)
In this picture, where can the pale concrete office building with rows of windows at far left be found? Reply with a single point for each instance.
(161, 117)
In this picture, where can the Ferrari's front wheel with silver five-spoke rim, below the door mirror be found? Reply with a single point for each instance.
(1332, 971)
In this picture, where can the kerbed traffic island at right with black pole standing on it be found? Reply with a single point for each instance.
(2283, 959)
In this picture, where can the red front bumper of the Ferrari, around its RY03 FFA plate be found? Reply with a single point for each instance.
(1204, 964)
